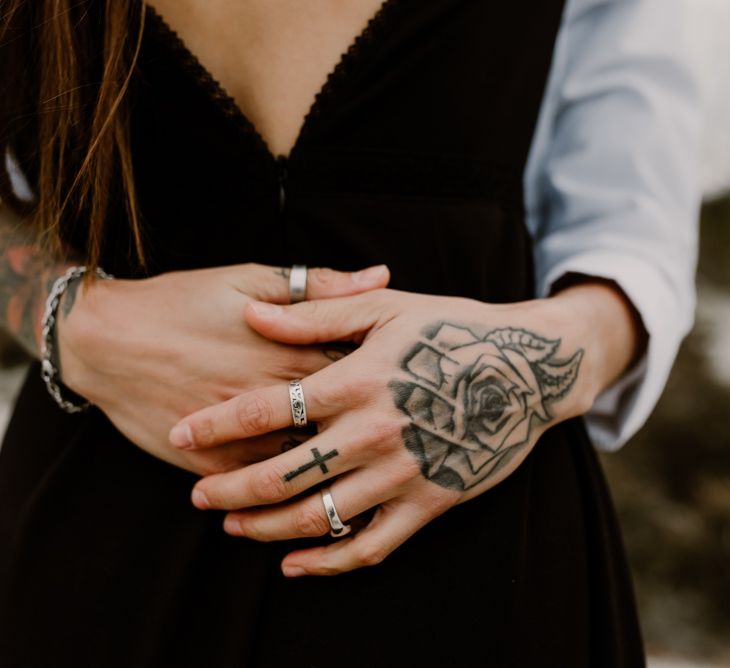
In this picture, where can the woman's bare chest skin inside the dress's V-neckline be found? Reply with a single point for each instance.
(272, 56)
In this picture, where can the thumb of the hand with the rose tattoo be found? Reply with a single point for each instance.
(319, 321)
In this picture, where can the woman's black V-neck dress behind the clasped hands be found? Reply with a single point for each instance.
(413, 155)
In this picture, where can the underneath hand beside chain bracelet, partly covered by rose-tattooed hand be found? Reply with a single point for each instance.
(148, 352)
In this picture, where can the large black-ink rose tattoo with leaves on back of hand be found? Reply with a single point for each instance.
(472, 400)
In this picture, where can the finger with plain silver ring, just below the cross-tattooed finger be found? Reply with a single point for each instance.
(353, 494)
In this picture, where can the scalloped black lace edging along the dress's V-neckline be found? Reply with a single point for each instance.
(230, 107)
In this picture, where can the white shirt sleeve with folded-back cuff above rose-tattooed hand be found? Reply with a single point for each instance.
(612, 186)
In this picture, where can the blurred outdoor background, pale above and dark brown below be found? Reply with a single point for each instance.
(671, 483)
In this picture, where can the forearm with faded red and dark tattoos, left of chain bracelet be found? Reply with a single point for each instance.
(26, 277)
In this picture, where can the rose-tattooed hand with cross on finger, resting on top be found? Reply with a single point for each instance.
(444, 399)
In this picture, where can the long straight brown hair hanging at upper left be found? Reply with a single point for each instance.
(65, 70)
